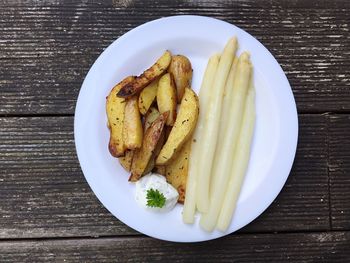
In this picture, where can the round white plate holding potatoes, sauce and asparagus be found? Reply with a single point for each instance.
(198, 38)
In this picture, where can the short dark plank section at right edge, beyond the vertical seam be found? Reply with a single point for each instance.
(339, 170)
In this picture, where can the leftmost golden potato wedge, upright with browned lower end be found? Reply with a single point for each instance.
(115, 107)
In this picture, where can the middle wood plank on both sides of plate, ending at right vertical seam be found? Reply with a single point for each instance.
(44, 193)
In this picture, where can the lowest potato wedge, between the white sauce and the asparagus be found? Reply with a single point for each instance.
(177, 170)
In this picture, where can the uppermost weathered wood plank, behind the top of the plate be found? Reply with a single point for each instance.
(47, 47)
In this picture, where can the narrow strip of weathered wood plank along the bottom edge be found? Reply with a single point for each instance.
(301, 247)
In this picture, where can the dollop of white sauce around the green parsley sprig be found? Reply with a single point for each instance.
(156, 182)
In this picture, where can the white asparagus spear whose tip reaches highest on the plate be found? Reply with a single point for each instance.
(211, 127)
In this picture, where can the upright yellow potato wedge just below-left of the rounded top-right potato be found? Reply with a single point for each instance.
(166, 97)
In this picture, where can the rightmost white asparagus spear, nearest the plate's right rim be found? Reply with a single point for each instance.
(240, 164)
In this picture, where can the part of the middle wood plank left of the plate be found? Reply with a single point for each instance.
(42, 190)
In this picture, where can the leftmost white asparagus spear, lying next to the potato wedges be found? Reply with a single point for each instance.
(204, 96)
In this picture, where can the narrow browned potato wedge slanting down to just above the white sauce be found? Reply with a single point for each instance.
(144, 154)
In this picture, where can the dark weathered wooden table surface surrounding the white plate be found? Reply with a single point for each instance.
(47, 210)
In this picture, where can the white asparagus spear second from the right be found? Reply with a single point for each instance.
(226, 145)
